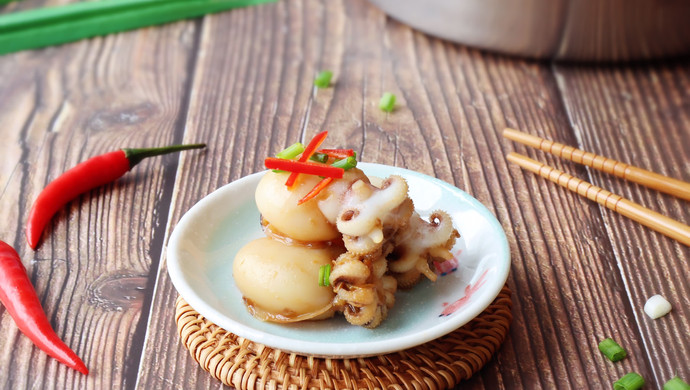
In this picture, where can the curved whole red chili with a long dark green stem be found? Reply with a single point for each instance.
(86, 176)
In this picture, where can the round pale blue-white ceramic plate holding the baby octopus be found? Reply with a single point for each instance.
(204, 243)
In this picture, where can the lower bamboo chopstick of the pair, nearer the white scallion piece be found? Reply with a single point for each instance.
(632, 210)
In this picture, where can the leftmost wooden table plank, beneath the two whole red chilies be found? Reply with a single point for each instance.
(60, 106)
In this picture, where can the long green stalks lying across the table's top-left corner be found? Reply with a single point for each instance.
(56, 25)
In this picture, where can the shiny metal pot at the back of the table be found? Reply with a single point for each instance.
(577, 30)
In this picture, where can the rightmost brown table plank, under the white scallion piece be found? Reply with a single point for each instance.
(639, 115)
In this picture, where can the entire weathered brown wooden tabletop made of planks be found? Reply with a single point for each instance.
(241, 81)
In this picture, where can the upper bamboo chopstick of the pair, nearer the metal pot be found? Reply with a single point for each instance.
(647, 178)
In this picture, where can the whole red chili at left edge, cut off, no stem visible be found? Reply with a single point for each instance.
(21, 302)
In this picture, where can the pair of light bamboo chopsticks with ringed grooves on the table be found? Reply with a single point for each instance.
(625, 207)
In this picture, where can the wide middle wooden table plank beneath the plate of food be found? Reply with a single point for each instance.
(252, 97)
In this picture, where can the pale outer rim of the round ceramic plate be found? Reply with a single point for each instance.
(320, 349)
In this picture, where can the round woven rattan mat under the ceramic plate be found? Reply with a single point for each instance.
(438, 364)
